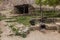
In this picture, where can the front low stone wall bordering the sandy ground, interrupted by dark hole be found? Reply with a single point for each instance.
(48, 27)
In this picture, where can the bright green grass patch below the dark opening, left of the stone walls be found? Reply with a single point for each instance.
(24, 19)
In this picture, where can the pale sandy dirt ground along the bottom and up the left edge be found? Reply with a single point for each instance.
(34, 35)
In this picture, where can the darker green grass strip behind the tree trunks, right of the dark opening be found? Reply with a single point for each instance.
(48, 13)
